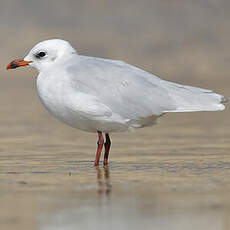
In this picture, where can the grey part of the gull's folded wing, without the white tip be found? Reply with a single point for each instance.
(125, 89)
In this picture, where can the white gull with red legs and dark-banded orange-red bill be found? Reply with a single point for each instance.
(104, 96)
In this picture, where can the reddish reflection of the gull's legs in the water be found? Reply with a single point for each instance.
(103, 180)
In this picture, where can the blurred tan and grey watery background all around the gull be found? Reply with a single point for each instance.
(174, 175)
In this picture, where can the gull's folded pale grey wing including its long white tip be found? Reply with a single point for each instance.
(134, 93)
